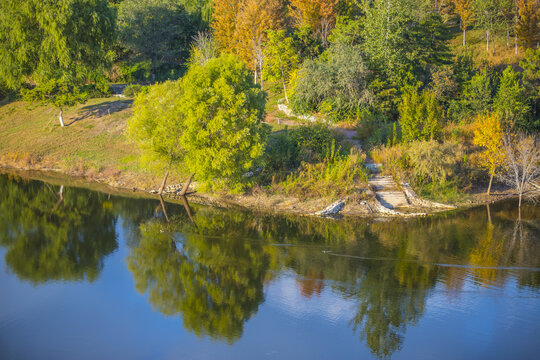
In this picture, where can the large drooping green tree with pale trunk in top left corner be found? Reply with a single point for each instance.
(55, 47)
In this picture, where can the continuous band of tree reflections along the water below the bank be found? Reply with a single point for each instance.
(210, 266)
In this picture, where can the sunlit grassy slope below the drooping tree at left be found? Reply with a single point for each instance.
(94, 135)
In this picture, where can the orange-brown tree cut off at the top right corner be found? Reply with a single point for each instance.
(528, 22)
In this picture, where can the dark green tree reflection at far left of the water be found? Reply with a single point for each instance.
(54, 234)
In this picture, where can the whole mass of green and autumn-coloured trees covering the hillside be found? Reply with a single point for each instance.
(443, 93)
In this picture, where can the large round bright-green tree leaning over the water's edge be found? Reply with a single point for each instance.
(210, 122)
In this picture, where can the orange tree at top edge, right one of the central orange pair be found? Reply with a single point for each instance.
(319, 15)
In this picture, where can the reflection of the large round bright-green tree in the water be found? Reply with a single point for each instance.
(211, 274)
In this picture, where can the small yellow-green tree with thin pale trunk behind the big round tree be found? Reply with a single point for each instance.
(281, 58)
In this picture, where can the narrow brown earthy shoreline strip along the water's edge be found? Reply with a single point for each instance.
(354, 207)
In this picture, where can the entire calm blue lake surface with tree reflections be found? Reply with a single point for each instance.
(85, 275)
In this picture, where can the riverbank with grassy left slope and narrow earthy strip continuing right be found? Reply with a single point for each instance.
(91, 151)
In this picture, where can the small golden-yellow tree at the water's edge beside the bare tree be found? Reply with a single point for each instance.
(488, 134)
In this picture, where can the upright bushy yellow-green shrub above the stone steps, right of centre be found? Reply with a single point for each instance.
(420, 115)
